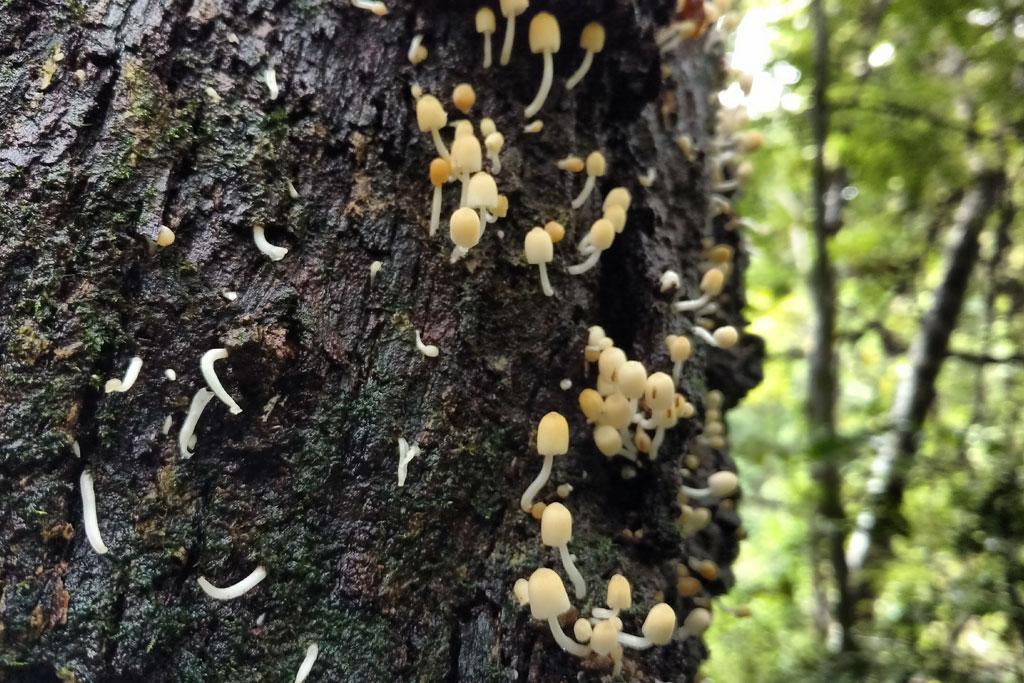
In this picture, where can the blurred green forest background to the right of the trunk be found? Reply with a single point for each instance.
(882, 457)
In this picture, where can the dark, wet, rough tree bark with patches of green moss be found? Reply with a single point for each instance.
(395, 584)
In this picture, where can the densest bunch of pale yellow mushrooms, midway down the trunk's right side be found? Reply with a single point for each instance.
(626, 398)
